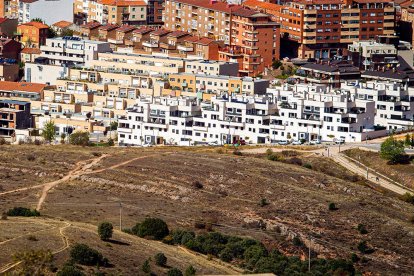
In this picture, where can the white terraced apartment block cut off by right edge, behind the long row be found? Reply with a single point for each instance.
(394, 102)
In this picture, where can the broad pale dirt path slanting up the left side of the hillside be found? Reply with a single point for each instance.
(81, 168)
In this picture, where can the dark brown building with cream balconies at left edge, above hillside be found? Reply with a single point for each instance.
(14, 115)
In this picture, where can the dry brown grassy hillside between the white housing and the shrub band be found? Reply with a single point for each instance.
(161, 182)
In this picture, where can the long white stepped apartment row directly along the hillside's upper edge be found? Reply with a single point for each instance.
(289, 113)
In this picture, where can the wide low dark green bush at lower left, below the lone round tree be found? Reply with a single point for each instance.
(84, 255)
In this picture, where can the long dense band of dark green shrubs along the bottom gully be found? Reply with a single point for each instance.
(253, 256)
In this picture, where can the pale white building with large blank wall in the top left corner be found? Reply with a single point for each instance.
(50, 11)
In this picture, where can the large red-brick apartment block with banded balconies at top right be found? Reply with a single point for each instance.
(324, 28)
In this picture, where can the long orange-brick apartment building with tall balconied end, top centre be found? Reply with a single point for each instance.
(251, 38)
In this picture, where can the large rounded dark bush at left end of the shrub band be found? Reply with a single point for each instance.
(151, 227)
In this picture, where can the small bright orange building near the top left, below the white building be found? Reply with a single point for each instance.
(32, 34)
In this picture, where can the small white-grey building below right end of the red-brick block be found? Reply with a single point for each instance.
(372, 55)
